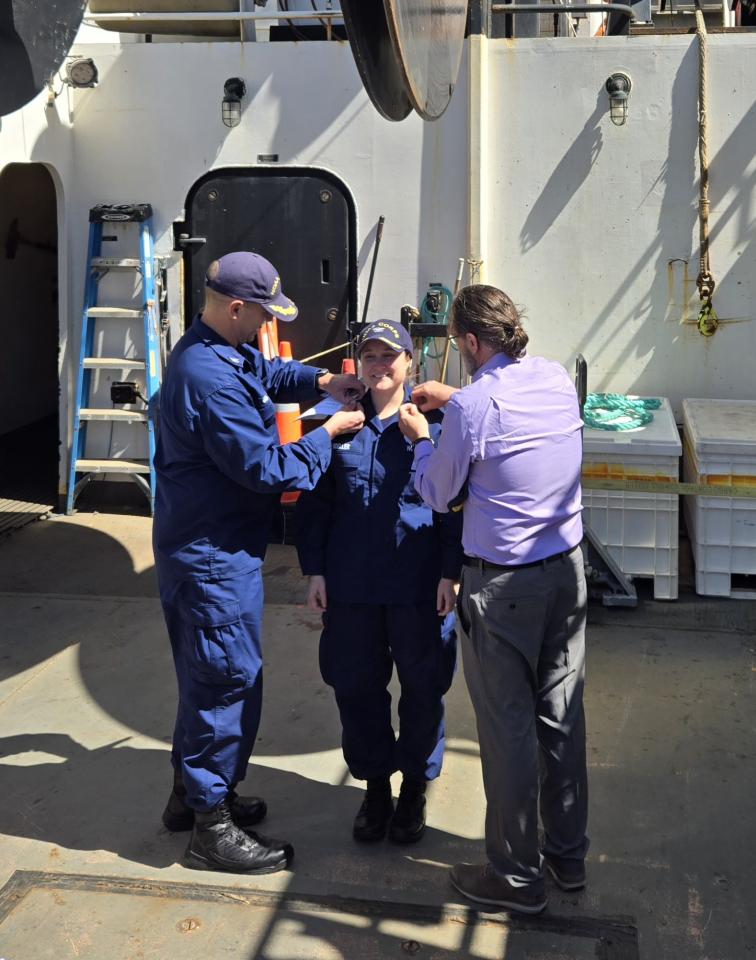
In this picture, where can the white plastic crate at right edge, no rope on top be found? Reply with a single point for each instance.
(720, 448)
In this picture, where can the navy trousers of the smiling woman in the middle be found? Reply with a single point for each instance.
(359, 646)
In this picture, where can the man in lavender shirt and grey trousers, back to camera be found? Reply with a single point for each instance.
(511, 449)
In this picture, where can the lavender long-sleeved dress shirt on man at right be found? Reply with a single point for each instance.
(515, 435)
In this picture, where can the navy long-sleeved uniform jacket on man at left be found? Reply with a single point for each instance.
(220, 467)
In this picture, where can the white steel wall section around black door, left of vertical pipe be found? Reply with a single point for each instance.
(305, 102)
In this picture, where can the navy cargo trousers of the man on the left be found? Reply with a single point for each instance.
(214, 627)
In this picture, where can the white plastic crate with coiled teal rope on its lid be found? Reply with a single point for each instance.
(640, 530)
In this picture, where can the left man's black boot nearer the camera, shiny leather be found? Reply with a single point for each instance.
(218, 844)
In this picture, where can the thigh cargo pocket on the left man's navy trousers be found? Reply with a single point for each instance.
(219, 649)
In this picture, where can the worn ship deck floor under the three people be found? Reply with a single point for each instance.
(87, 700)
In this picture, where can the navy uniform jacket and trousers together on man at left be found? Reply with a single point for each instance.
(220, 469)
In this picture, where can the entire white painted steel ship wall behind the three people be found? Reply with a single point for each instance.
(584, 218)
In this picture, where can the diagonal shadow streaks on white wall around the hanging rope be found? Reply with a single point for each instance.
(675, 191)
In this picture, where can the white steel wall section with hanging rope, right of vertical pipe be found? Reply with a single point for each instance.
(591, 224)
